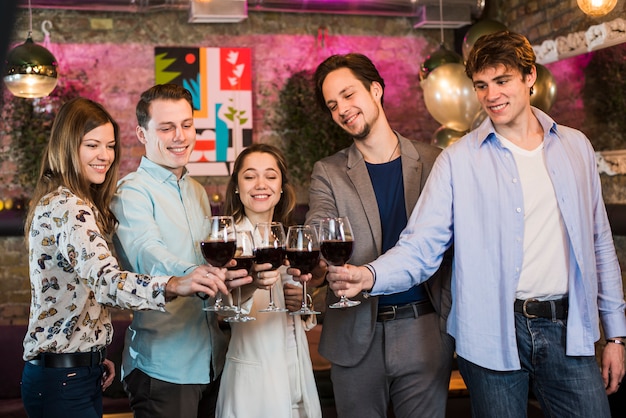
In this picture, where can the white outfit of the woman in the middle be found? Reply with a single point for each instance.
(268, 371)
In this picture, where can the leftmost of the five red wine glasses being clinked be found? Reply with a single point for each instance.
(218, 248)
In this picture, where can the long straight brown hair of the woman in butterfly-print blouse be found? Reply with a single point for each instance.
(60, 165)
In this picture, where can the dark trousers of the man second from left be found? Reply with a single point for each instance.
(154, 398)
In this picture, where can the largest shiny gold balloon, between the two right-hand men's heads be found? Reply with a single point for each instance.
(449, 97)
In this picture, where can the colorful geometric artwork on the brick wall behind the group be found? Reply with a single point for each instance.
(220, 82)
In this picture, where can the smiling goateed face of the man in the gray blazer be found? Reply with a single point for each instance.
(352, 106)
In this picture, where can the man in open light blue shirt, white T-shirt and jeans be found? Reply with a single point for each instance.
(535, 267)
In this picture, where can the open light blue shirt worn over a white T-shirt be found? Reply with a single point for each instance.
(473, 198)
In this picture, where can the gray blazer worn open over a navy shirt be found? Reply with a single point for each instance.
(341, 186)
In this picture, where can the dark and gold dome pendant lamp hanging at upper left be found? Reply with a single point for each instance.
(31, 70)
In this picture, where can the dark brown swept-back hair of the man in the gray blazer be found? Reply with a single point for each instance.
(361, 66)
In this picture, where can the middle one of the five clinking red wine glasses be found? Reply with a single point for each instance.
(269, 240)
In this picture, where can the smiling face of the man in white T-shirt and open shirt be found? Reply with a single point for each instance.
(504, 94)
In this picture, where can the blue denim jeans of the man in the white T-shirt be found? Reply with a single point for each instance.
(565, 386)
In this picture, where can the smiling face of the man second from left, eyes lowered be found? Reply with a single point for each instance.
(170, 134)
